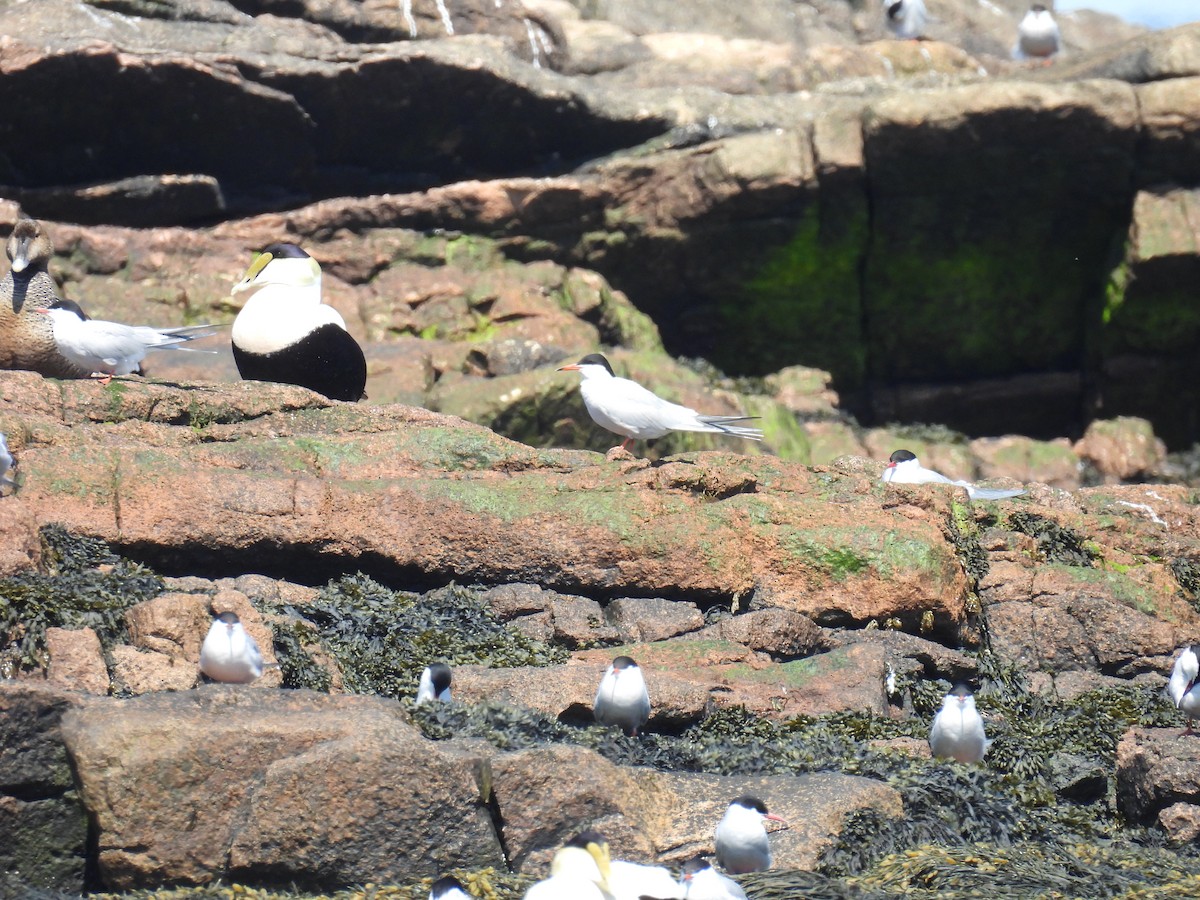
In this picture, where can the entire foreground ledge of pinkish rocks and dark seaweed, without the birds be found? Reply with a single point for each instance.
(797, 627)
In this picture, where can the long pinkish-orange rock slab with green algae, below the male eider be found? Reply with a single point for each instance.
(269, 467)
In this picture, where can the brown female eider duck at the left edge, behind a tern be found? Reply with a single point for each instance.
(27, 340)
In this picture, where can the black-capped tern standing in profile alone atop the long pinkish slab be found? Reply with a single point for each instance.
(629, 410)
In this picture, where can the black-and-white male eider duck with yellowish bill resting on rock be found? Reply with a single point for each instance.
(286, 334)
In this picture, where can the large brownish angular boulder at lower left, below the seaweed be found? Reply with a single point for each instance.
(292, 789)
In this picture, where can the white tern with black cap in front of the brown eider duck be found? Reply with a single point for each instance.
(110, 349)
